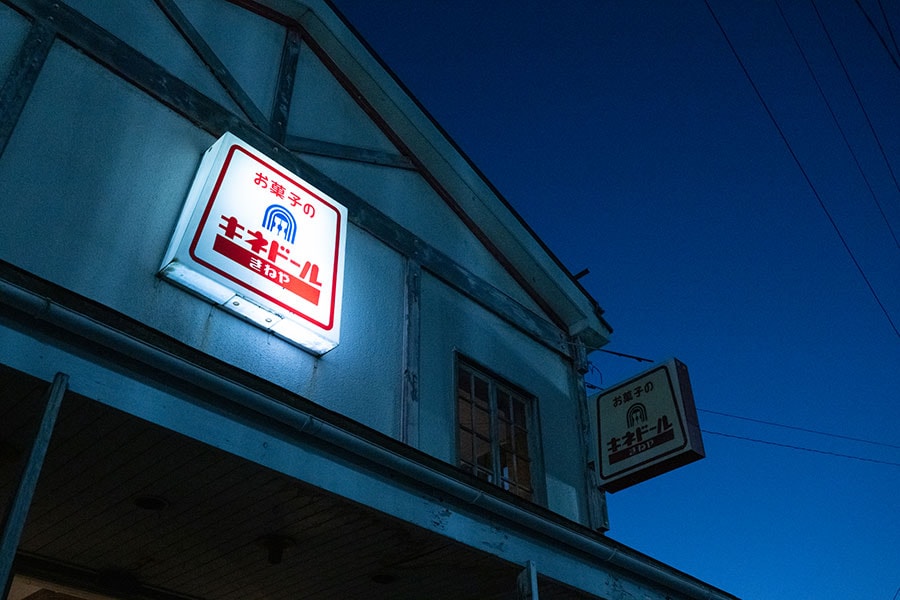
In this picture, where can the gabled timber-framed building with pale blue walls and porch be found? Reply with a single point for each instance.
(156, 443)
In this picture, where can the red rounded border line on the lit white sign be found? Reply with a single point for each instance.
(230, 277)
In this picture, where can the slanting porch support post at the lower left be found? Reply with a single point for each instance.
(14, 519)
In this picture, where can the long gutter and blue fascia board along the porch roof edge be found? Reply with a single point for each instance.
(340, 457)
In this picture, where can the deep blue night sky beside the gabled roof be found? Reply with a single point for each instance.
(629, 137)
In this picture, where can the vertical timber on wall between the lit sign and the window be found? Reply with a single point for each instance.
(409, 409)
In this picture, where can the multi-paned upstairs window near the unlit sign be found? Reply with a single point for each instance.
(494, 421)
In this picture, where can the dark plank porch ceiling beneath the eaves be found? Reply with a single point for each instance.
(127, 509)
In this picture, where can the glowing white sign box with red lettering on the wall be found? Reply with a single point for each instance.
(262, 243)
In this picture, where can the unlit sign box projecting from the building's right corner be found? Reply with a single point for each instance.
(647, 426)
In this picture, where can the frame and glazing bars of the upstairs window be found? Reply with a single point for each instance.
(498, 384)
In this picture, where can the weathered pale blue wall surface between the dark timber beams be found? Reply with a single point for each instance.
(93, 180)
